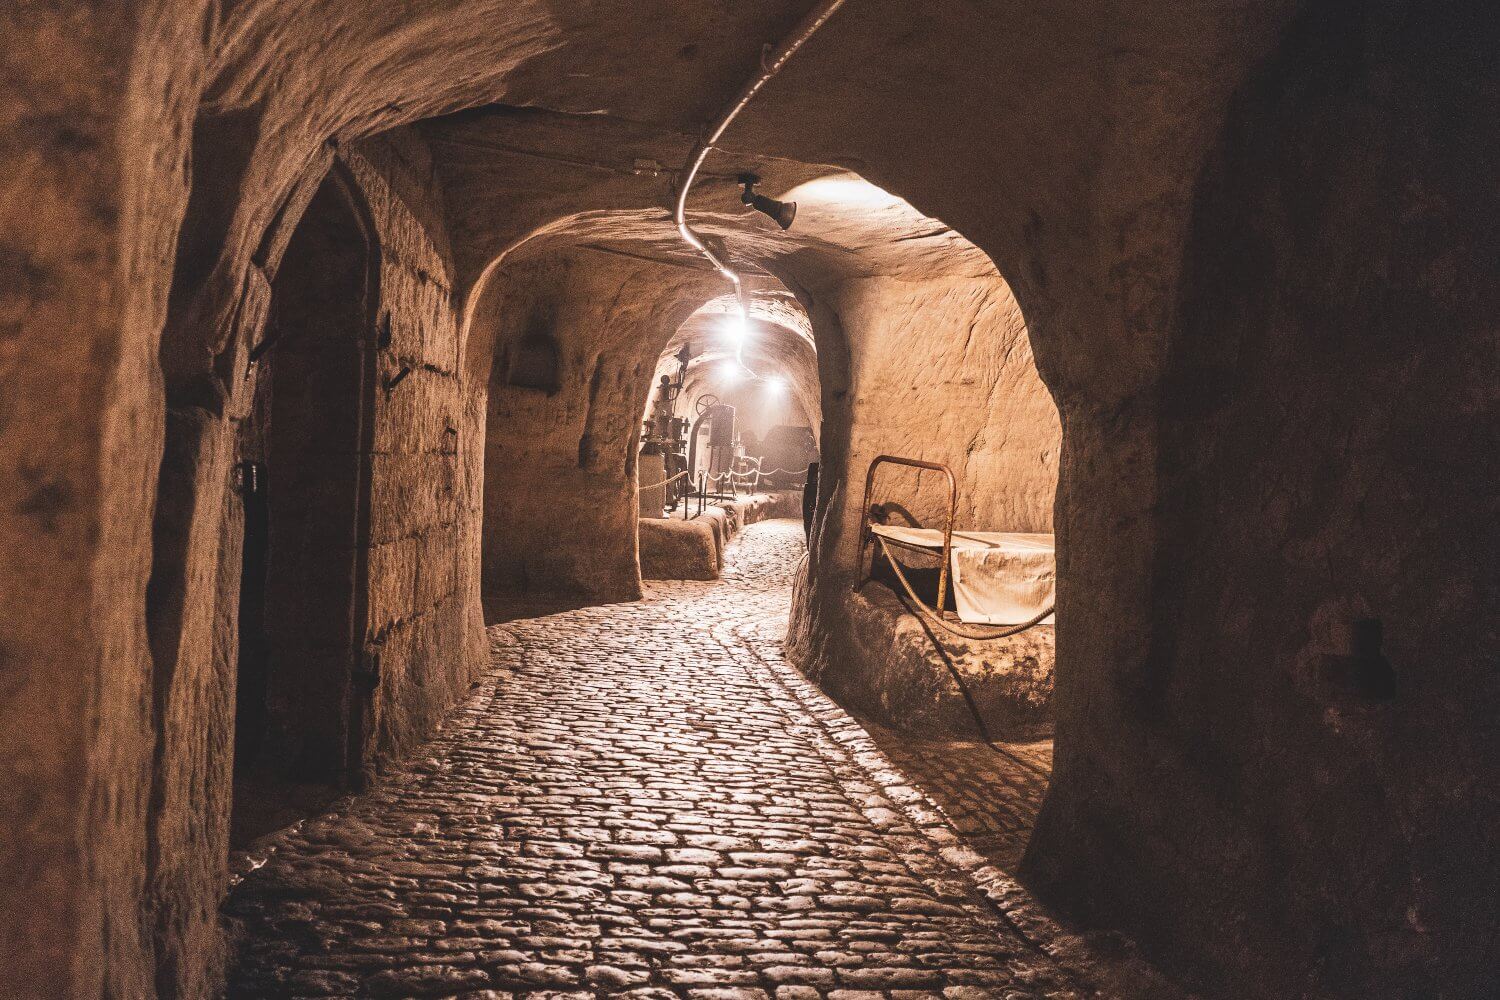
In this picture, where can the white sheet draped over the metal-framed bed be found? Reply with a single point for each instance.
(1000, 578)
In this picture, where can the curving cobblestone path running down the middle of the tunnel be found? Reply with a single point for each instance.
(643, 800)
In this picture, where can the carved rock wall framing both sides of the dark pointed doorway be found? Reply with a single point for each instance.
(421, 596)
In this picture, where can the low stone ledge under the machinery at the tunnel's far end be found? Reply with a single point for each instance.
(694, 549)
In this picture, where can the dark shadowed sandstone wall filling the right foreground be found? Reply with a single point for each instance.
(1325, 457)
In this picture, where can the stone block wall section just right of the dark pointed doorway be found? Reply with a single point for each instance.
(424, 612)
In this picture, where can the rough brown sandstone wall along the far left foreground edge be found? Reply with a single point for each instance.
(94, 145)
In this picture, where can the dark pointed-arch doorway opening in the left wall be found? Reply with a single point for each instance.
(305, 675)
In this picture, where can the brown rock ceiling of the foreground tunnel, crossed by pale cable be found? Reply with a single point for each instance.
(1063, 139)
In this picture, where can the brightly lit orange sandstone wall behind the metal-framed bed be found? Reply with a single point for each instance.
(943, 371)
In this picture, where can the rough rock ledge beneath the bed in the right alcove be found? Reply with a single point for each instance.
(890, 669)
